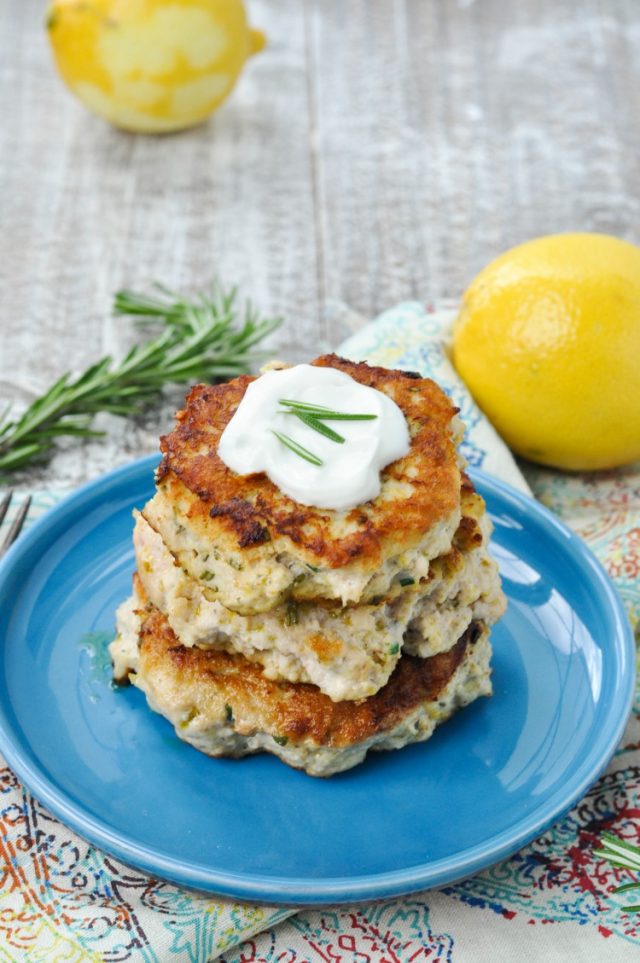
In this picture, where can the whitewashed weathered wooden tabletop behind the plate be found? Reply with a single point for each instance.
(376, 150)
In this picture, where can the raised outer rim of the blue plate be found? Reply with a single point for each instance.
(304, 891)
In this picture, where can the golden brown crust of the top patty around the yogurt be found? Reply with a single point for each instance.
(249, 511)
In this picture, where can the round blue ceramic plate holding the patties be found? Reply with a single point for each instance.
(489, 781)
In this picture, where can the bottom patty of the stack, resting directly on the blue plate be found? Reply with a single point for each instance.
(224, 705)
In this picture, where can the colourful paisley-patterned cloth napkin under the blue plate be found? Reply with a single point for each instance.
(62, 900)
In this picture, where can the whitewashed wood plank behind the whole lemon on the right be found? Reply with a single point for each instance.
(448, 132)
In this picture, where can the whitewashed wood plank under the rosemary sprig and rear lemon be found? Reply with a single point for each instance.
(88, 209)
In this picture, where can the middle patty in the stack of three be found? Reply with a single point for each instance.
(348, 652)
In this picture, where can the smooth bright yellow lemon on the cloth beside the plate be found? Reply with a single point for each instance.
(548, 341)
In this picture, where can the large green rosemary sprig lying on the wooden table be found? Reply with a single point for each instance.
(204, 338)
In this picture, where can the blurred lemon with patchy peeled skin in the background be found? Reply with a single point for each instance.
(151, 65)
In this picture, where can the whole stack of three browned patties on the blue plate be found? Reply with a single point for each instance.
(261, 624)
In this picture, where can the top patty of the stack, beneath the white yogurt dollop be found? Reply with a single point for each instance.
(268, 546)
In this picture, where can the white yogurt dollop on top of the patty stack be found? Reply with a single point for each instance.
(350, 472)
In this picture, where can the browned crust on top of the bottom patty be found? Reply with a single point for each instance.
(299, 712)
